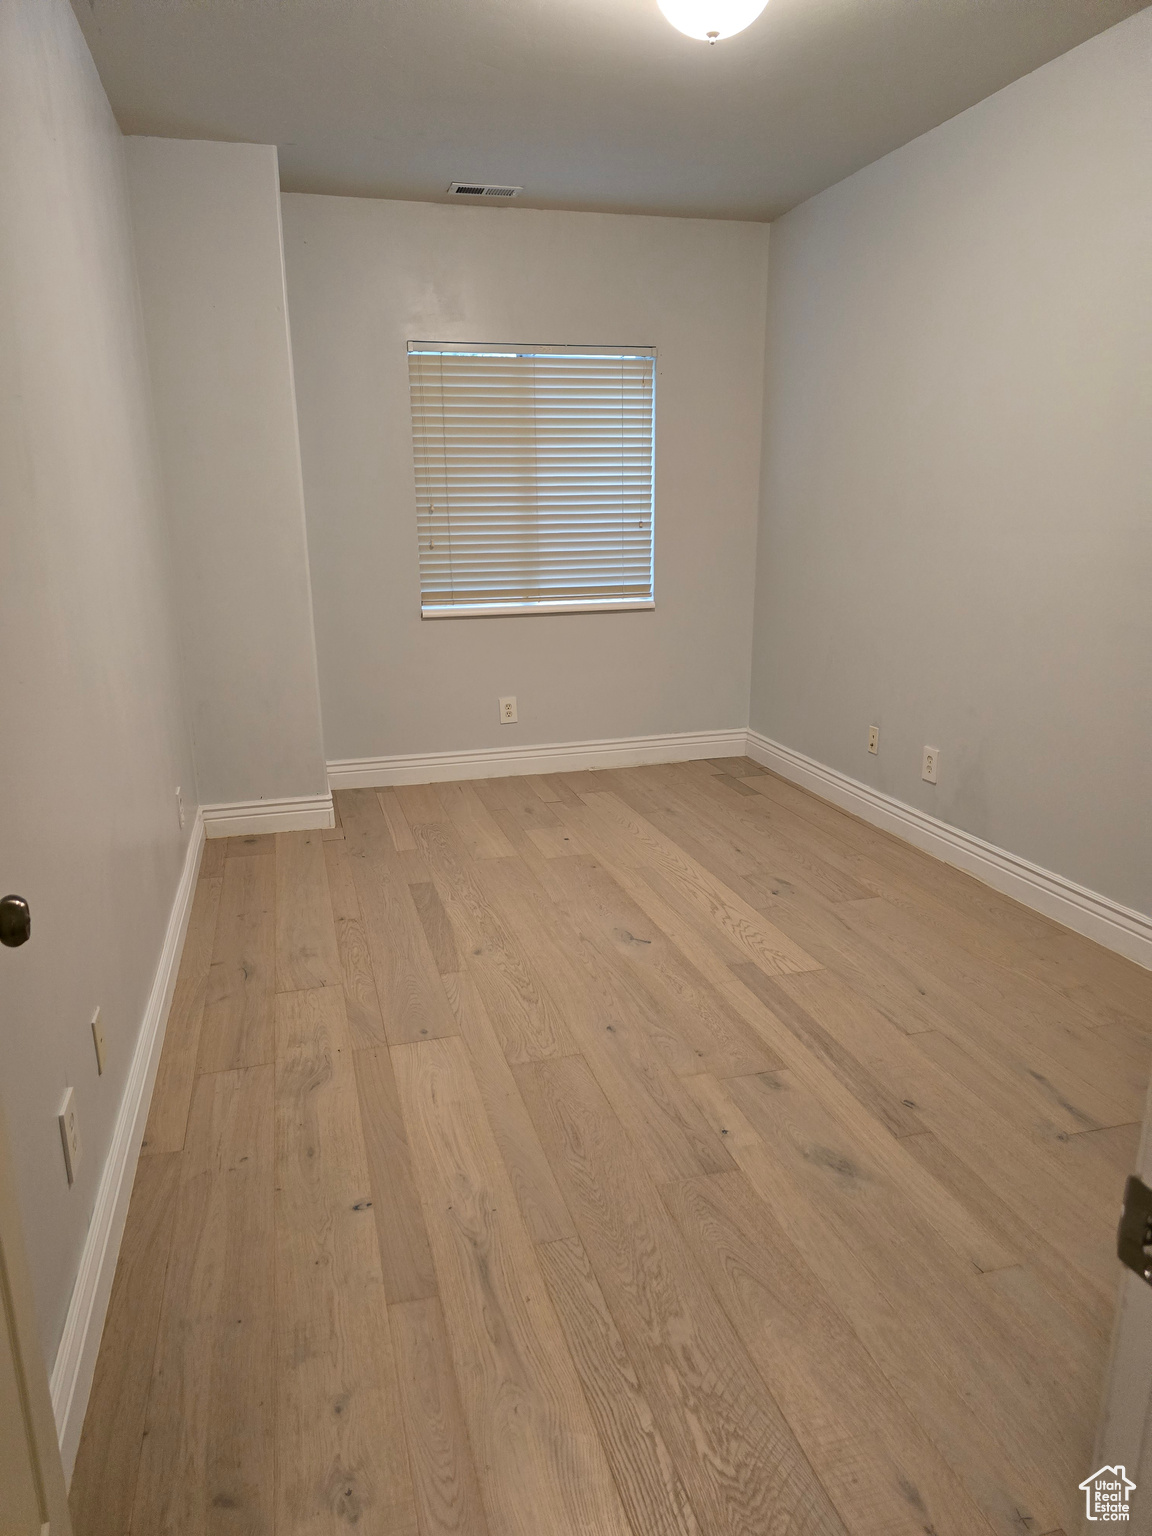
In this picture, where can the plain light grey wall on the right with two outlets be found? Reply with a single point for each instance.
(956, 537)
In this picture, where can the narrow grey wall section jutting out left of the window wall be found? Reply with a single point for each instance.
(213, 280)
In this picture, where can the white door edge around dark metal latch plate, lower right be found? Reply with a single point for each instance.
(1125, 1437)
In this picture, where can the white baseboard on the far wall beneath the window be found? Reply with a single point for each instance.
(494, 763)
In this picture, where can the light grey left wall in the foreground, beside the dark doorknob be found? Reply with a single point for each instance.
(93, 741)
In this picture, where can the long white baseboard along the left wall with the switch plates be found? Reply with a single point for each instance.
(81, 1342)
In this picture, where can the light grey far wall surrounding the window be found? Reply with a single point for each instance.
(366, 277)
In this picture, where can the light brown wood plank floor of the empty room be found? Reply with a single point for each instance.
(654, 1153)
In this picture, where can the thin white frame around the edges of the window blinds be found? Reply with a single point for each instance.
(543, 606)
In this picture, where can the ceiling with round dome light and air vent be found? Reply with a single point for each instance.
(586, 104)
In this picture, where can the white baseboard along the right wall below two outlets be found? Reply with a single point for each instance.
(1088, 913)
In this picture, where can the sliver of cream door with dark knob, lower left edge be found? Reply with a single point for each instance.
(33, 1497)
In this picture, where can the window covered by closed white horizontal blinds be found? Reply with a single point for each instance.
(534, 478)
